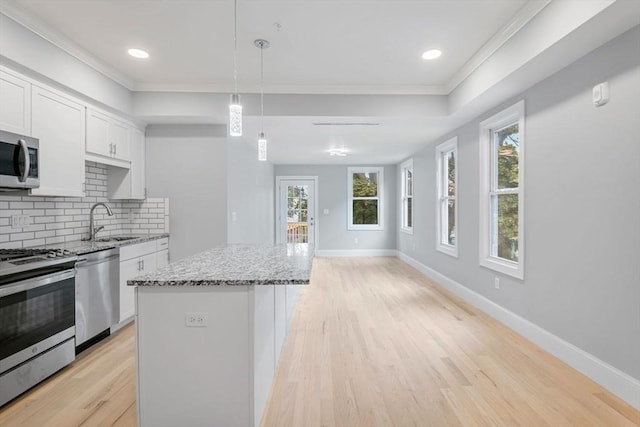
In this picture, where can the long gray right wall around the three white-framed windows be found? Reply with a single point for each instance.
(582, 276)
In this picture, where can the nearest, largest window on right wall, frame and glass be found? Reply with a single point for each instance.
(502, 191)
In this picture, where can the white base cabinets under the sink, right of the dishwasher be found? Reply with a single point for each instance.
(136, 260)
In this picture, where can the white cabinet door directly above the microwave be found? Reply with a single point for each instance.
(15, 107)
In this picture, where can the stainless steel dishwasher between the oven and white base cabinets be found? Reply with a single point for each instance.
(97, 296)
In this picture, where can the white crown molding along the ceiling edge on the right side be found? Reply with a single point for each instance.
(519, 20)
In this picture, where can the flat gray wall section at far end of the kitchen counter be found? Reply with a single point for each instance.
(187, 164)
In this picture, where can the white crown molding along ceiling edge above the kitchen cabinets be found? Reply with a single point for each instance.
(59, 40)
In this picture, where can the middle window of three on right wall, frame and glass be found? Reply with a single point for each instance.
(446, 206)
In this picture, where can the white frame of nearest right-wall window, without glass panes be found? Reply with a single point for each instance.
(511, 115)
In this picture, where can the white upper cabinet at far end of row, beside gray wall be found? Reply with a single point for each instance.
(130, 183)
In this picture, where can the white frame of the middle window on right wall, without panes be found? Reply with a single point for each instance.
(442, 195)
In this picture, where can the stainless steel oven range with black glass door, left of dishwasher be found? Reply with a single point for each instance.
(37, 318)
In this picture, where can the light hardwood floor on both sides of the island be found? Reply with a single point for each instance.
(372, 343)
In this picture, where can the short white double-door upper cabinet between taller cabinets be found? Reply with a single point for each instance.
(108, 139)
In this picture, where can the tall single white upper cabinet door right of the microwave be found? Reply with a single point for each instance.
(59, 124)
